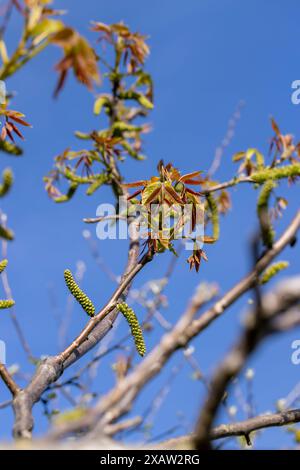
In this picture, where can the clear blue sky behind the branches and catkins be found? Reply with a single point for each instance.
(206, 56)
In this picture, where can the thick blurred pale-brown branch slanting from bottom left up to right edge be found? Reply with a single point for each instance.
(120, 400)
